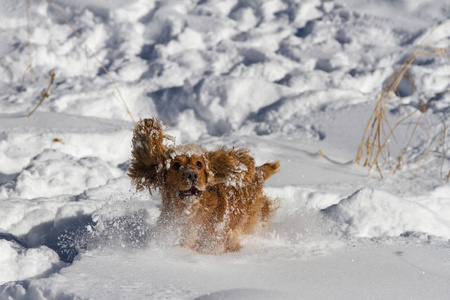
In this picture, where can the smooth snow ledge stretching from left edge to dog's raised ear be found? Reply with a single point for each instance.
(75, 135)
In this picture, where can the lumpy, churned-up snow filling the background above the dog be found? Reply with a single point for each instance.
(223, 63)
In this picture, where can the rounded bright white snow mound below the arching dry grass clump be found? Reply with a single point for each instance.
(372, 213)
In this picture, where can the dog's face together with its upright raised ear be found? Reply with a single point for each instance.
(181, 171)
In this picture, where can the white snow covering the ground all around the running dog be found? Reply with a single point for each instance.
(294, 81)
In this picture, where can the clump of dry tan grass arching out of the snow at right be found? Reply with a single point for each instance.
(374, 148)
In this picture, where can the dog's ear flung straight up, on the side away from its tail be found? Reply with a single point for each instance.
(148, 154)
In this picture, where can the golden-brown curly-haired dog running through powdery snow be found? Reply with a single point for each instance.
(211, 197)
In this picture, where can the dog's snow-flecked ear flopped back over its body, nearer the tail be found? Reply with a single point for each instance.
(231, 167)
